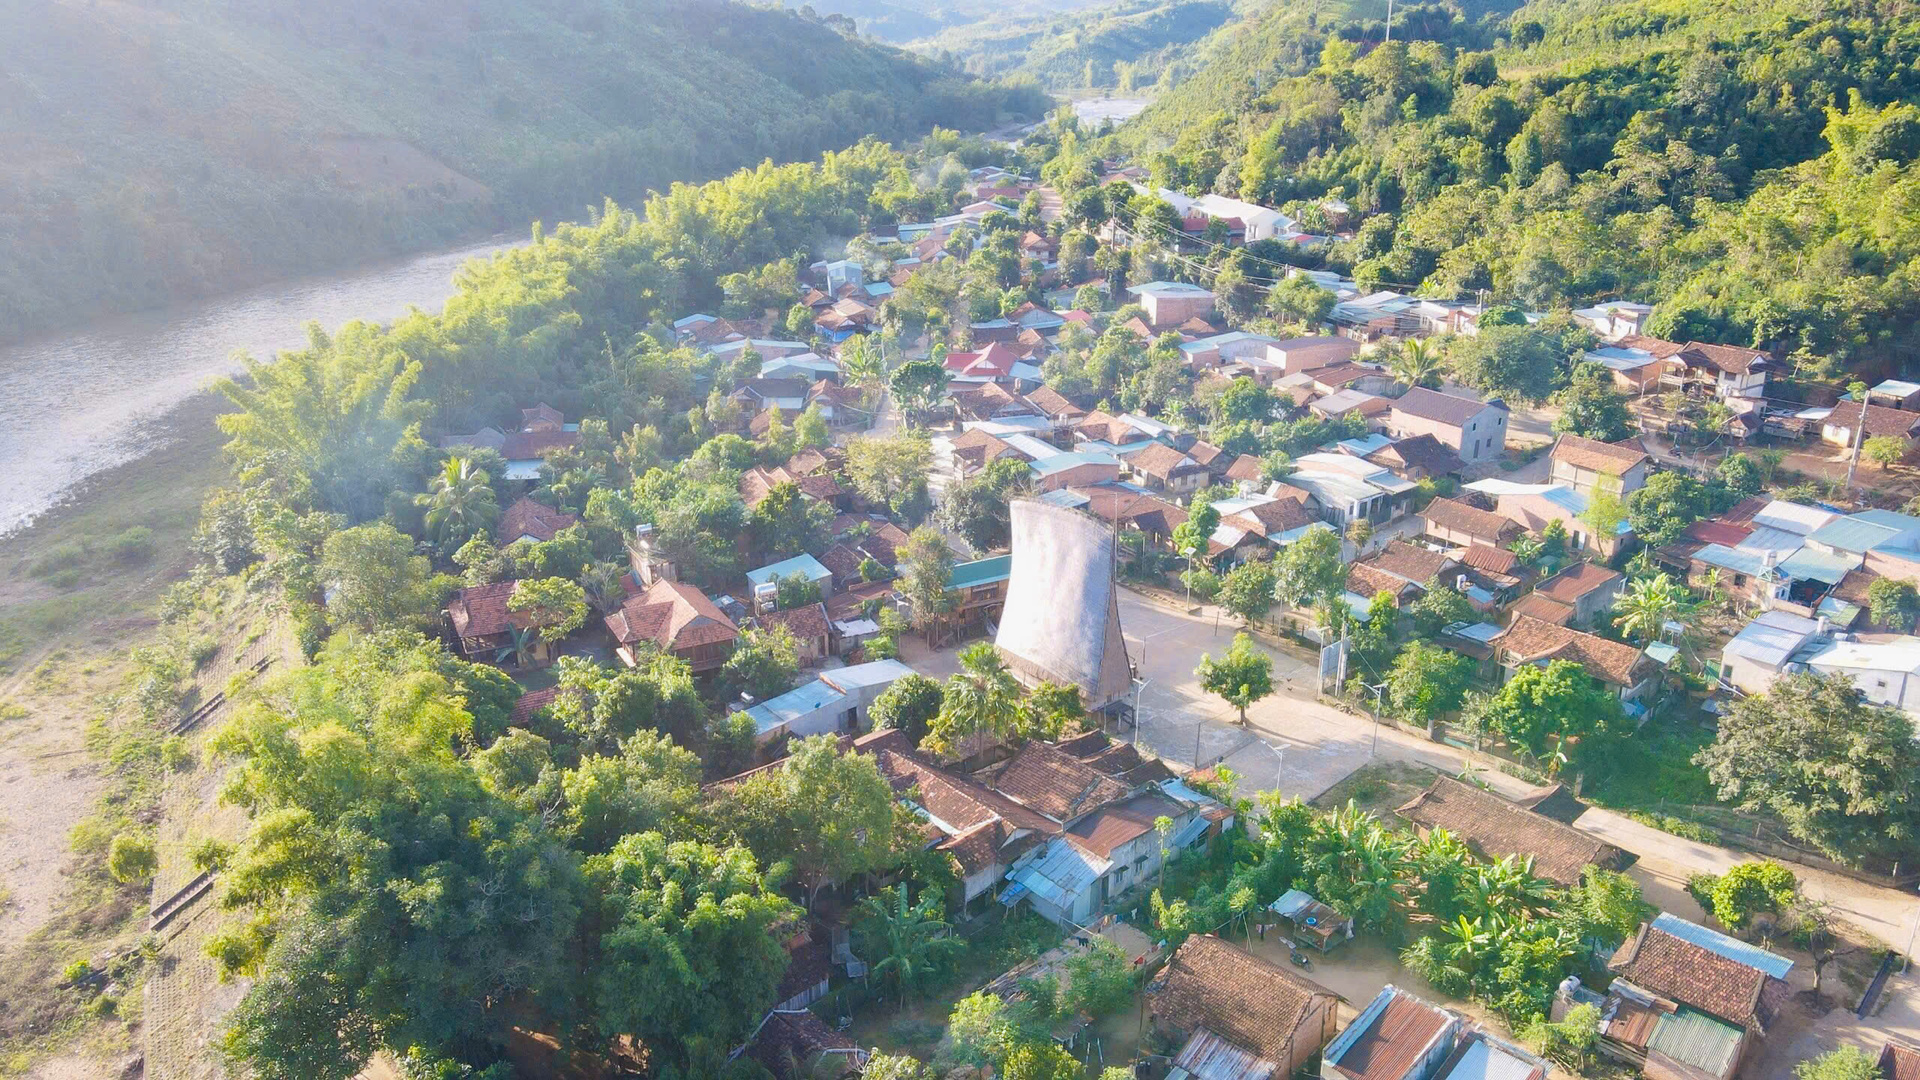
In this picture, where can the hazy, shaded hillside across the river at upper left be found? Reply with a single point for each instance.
(160, 151)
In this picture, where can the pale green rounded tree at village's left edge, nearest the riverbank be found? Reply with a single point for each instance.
(375, 579)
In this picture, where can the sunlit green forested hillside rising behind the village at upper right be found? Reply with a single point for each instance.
(1750, 170)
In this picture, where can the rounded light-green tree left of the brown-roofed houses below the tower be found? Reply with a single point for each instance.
(830, 814)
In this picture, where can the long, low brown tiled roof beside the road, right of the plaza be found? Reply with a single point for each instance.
(1500, 829)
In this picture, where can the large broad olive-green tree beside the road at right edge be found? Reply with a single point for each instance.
(1836, 770)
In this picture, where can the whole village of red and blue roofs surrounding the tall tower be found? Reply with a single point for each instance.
(1280, 706)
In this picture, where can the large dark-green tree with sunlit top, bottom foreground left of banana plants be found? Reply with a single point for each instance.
(684, 945)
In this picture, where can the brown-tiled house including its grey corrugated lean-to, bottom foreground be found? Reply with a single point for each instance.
(1239, 1016)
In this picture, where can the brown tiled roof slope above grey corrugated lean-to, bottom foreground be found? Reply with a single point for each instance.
(1237, 996)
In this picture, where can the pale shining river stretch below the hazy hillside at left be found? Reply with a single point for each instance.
(87, 403)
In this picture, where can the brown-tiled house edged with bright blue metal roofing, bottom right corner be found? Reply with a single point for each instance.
(1691, 1004)
